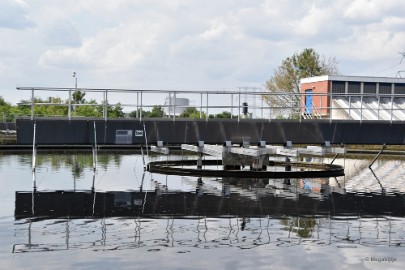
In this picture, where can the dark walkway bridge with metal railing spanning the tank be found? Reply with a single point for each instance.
(255, 115)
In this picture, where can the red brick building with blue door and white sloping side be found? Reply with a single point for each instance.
(353, 97)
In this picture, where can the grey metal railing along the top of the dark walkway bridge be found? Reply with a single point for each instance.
(282, 105)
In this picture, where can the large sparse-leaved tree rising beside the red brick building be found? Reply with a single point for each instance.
(286, 79)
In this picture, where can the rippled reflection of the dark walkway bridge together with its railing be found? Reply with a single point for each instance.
(259, 214)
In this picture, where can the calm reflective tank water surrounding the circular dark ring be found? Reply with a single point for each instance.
(137, 220)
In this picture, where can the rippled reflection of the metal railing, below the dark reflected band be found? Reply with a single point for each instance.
(202, 232)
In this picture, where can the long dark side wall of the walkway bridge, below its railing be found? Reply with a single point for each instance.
(81, 131)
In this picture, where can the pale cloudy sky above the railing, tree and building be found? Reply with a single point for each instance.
(179, 44)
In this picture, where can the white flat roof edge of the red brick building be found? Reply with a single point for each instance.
(352, 79)
